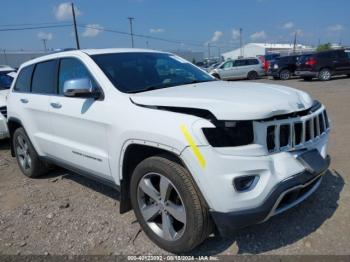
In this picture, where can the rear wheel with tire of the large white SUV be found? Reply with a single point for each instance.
(27, 158)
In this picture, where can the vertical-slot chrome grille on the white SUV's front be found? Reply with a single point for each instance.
(293, 133)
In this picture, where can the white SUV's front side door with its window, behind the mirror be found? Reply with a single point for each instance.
(79, 124)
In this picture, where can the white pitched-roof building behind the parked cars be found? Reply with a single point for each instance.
(255, 49)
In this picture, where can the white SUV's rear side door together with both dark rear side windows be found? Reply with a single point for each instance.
(34, 87)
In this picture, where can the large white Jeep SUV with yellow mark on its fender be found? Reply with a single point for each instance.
(188, 152)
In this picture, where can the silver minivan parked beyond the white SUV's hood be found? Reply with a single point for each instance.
(250, 68)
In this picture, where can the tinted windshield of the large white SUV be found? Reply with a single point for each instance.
(139, 72)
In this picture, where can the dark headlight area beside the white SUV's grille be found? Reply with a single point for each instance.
(230, 133)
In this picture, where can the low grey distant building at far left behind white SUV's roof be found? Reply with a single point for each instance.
(16, 58)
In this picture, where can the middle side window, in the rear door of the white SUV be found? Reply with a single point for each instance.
(44, 78)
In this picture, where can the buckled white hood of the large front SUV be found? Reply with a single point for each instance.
(229, 100)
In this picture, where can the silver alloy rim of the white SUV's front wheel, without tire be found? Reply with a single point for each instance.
(161, 206)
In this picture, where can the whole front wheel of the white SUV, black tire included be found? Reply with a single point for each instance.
(193, 223)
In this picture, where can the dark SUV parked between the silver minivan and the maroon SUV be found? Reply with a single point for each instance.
(283, 67)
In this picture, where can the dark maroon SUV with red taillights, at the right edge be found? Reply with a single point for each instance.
(324, 65)
